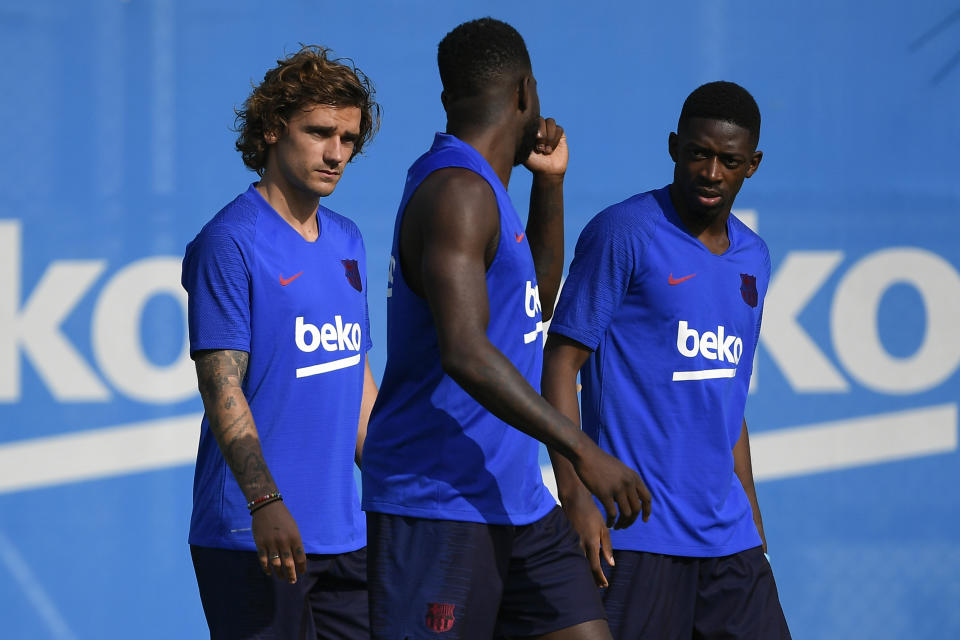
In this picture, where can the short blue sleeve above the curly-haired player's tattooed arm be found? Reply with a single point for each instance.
(217, 282)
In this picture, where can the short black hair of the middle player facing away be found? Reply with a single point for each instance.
(477, 52)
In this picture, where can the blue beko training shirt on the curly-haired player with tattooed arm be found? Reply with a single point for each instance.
(299, 309)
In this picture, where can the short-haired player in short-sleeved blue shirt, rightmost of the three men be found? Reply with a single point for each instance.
(660, 314)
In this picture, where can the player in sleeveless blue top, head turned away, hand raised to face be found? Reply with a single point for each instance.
(463, 536)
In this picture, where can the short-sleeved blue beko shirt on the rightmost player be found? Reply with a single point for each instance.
(673, 329)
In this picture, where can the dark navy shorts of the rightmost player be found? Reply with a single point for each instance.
(665, 597)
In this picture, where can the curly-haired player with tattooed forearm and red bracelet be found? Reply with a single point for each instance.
(279, 331)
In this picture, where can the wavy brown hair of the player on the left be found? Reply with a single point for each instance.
(308, 77)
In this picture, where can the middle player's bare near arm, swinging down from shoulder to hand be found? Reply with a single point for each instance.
(449, 226)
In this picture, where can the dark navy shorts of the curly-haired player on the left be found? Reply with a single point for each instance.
(240, 601)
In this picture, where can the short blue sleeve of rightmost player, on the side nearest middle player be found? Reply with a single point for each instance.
(599, 278)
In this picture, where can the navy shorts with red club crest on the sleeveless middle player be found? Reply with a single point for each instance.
(465, 580)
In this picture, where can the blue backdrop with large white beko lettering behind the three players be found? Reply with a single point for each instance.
(119, 147)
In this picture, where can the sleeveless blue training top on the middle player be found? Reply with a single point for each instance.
(431, 450)
